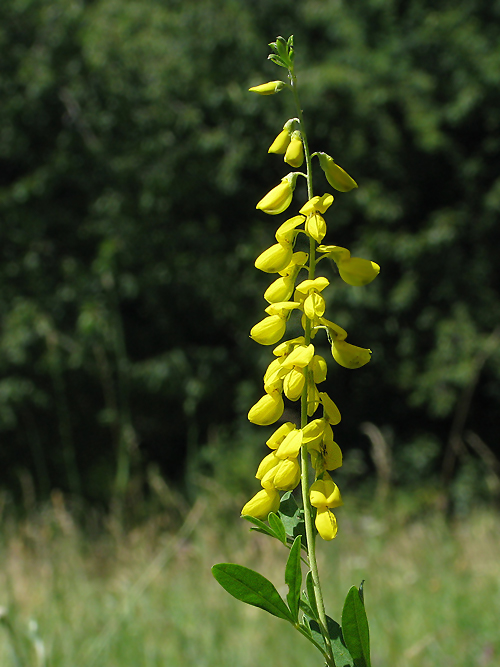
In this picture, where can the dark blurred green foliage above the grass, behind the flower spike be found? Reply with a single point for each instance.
(131, 159)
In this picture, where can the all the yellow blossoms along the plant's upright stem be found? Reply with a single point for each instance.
(297, 370)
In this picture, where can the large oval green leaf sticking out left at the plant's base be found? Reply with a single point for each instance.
(251, 587)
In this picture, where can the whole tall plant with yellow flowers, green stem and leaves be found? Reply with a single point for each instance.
(299, 451)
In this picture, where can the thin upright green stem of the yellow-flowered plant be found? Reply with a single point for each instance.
(310, 535)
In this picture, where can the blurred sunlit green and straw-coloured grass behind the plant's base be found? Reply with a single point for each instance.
(107, 597)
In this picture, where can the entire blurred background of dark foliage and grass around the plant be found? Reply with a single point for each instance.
(131, 159)
